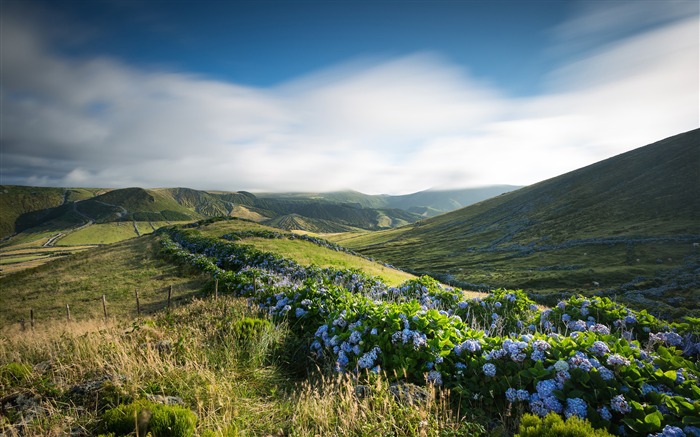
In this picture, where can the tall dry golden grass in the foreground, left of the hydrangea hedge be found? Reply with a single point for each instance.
(72, 373)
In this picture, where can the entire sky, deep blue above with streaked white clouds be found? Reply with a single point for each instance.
(378, 96)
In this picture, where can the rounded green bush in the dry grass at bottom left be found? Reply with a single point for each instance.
(149, 417)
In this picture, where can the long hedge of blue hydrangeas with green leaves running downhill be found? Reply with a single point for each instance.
(592, 359)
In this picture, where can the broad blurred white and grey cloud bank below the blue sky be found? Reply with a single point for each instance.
(377, 126)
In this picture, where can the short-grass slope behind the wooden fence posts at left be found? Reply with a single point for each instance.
(80, 280)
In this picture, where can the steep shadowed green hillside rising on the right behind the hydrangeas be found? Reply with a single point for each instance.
(625, 225)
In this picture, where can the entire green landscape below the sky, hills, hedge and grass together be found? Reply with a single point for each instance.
(571, 300)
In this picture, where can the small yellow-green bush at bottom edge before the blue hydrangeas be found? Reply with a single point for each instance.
(552, 425)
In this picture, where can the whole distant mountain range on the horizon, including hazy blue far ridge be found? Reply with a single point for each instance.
(28, 207)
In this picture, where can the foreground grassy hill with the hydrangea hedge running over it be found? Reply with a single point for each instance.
(263, 339)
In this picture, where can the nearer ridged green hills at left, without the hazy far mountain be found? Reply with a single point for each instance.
(58, 209)
